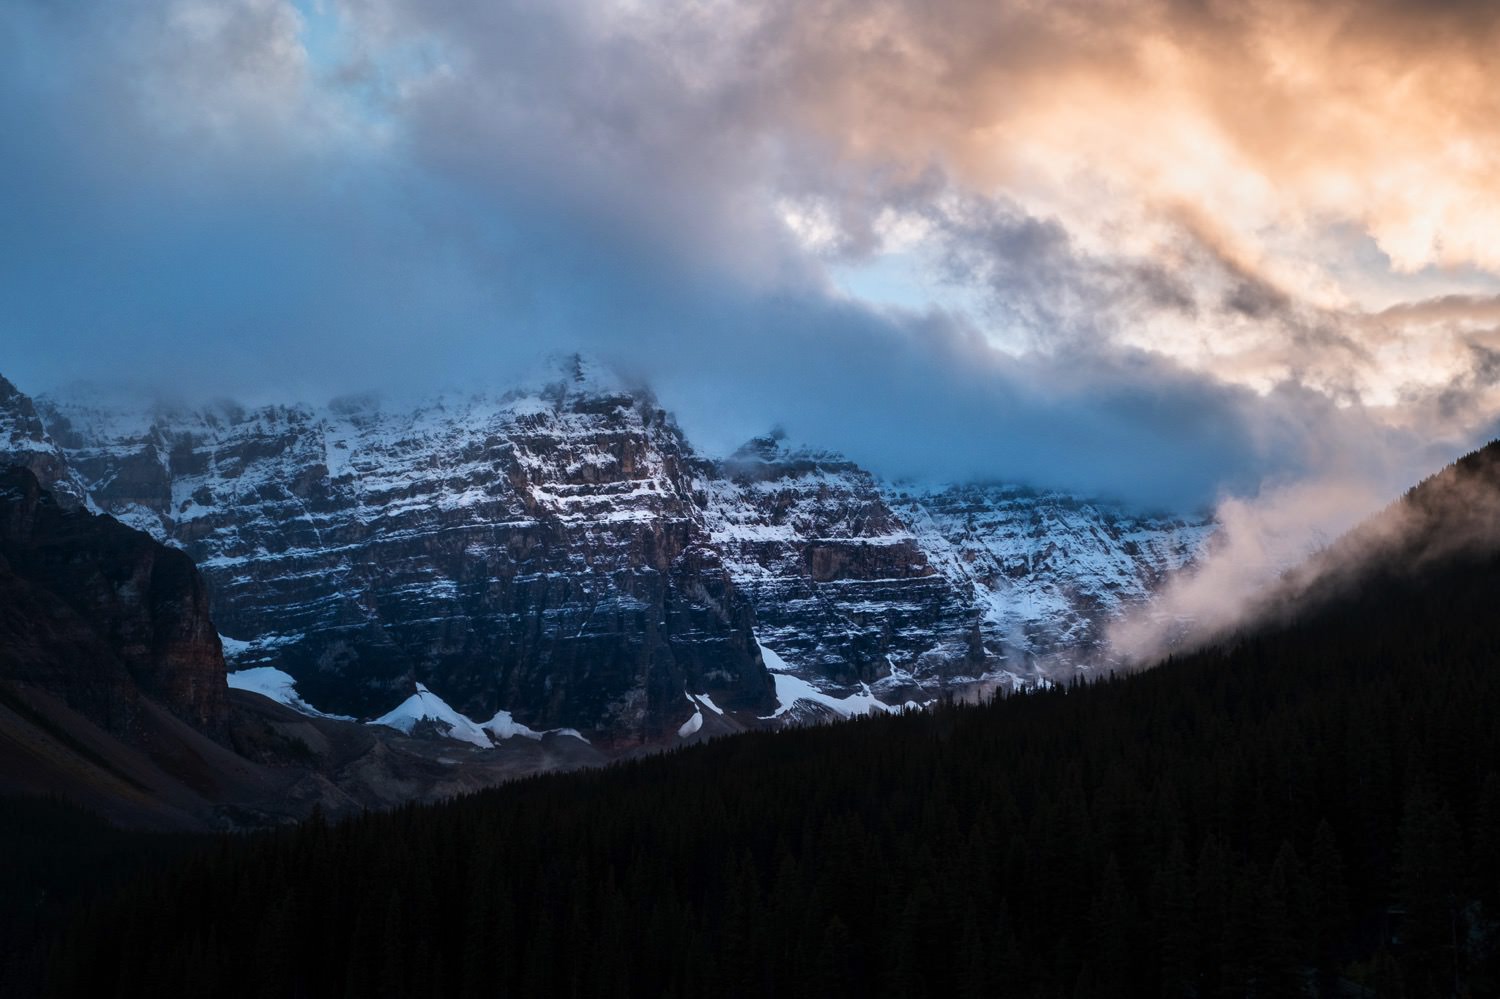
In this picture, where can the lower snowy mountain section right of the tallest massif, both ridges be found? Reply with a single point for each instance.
(857, 581)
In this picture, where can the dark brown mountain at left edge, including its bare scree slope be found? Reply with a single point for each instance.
(112, 679)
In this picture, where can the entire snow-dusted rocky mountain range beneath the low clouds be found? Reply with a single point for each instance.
(560, 556)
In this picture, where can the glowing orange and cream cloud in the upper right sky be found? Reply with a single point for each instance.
(1298, 163)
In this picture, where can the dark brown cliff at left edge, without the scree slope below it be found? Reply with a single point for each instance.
(100, 614)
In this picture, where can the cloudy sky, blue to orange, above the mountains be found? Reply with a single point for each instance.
(1180, 253)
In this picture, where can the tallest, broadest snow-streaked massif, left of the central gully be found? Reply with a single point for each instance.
(541, 553)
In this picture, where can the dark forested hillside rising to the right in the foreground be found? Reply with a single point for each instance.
(1313, 809)
